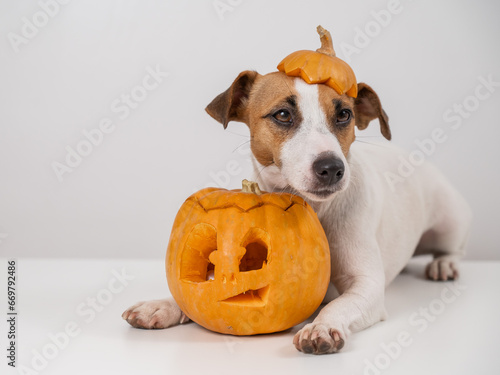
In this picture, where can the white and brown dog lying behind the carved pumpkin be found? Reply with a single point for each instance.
(302, 141)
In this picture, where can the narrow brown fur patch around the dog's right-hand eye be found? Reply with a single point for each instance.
(333, 106)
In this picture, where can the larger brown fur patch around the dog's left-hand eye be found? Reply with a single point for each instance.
(270, 94)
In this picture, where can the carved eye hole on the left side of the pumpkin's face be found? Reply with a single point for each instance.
(195, 263)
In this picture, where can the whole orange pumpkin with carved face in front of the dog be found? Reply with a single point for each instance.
(244, 262)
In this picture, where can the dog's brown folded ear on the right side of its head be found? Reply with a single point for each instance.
(367, 107)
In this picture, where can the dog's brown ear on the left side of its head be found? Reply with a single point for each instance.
(229, 106)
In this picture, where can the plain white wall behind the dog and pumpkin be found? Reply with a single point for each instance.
(122, 199)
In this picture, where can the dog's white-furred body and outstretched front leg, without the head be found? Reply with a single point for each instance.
(374, 231)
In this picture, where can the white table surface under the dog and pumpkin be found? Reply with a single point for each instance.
(461, 337)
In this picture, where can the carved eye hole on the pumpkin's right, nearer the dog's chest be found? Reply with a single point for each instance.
(256, 244)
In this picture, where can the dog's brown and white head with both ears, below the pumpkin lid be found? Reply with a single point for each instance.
(300, 133)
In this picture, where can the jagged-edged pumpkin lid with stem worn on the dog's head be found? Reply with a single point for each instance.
(321, 66)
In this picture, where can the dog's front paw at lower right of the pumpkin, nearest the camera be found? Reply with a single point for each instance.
(317, 338)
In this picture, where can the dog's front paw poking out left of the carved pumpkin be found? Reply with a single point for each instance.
(155, 314)
